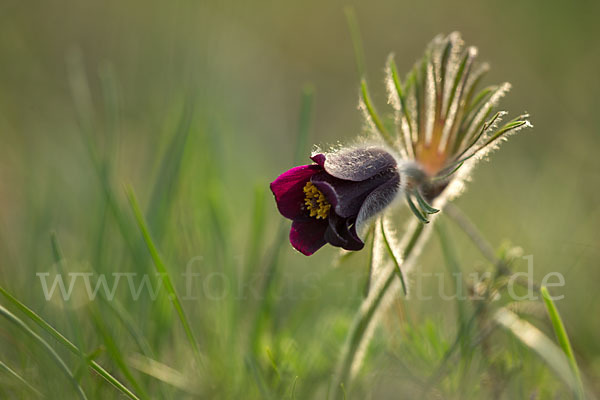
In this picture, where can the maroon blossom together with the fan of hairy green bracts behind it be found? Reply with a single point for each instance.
(442, 126)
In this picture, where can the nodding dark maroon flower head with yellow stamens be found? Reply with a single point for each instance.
(330, 201)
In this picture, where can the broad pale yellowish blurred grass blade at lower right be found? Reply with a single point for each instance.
(535, 339)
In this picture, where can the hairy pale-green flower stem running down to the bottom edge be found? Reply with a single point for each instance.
(413, 240)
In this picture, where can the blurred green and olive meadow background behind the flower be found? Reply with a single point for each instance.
(239, 68)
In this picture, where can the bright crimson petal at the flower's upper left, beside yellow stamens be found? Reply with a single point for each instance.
(288, 192)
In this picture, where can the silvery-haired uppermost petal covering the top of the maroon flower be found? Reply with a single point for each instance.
(356, 164)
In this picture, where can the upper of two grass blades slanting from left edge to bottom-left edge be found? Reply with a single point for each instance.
(65, 342)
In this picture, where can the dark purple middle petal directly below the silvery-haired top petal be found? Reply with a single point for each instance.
(347, 197)
